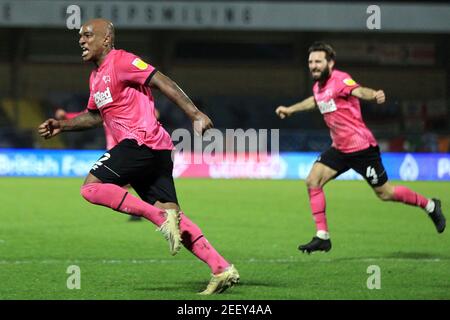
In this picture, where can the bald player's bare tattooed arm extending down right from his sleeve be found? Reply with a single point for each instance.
(171, 90)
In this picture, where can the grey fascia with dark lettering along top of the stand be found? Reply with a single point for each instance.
(250, 15)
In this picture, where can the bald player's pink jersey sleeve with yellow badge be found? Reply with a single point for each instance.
(131, 69)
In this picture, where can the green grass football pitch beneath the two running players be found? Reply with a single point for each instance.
(45, 226)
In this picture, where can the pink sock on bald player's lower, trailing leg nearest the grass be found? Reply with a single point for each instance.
(195, 242)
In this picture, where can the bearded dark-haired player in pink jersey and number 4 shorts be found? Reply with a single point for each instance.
(337, 95)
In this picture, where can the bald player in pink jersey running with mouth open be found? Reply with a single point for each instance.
(121, 98)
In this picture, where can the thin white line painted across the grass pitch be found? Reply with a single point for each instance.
(184, 261)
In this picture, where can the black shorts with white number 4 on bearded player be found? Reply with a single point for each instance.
(366, 162)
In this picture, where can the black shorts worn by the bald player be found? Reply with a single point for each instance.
(148, 171)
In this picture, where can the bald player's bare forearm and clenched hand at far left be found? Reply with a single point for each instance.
(51, 127)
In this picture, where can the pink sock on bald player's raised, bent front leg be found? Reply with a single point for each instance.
(117, 198)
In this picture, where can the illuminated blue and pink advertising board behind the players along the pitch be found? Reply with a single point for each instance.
(296, 165)
